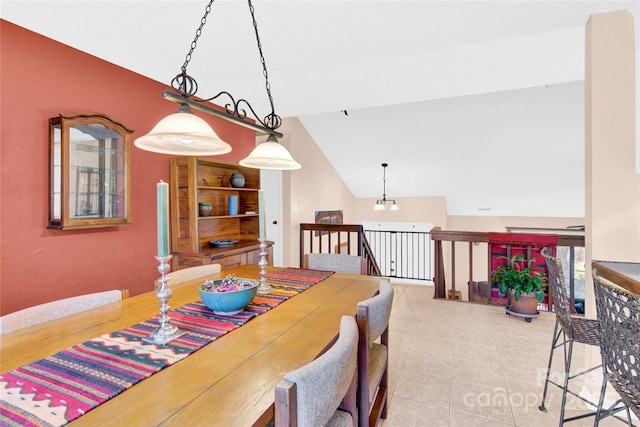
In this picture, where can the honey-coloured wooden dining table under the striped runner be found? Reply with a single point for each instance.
(229, 382)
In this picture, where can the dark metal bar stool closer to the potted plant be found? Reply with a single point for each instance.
(568, 330)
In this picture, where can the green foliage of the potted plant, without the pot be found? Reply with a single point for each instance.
(520, 276)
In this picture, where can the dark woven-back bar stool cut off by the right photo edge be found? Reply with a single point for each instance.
(619, 316)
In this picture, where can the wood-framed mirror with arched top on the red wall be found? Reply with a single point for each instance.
(89, 172)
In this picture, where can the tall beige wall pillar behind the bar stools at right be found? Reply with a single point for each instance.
(612, 184)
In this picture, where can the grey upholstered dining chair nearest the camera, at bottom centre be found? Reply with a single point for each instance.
(312, 394)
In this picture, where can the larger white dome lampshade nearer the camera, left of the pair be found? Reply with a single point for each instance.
(183, 133)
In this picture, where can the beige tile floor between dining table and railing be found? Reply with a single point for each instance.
(461, 364)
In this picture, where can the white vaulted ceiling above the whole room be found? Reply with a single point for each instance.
(478, 101)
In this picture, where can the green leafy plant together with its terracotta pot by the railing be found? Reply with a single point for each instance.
(522, 281)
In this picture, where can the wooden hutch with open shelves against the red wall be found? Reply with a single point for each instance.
(196, 180)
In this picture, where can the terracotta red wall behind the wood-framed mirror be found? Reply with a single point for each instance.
(41, 78)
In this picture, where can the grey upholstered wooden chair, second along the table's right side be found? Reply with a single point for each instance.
(373, 356)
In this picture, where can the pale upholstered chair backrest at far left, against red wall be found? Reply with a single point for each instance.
(55, 309)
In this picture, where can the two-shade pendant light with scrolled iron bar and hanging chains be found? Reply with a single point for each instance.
(184, 133)
